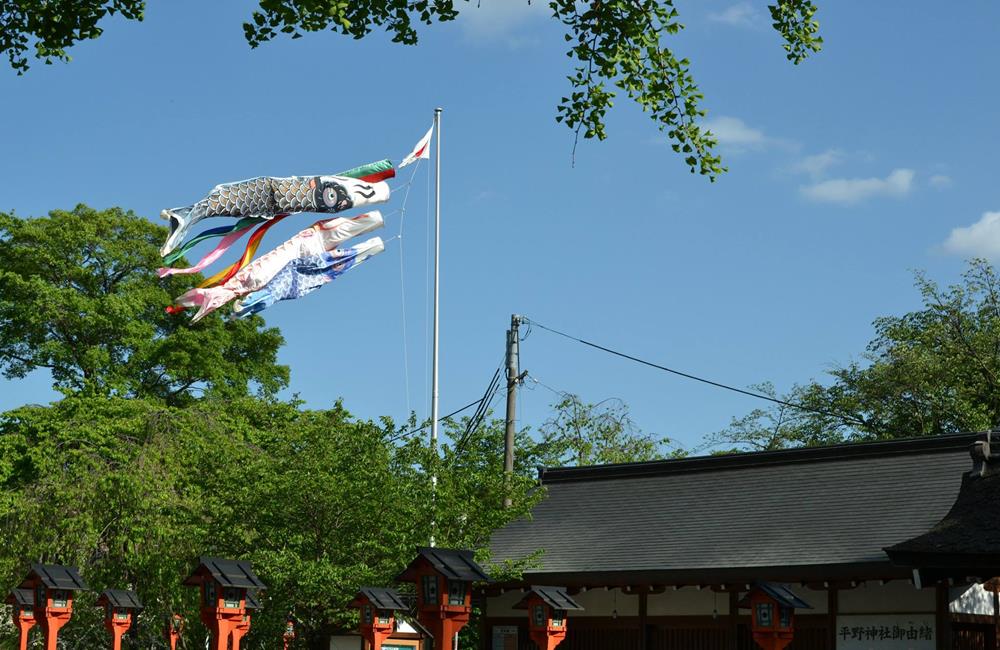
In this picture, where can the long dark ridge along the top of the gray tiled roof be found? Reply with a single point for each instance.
(795, 455)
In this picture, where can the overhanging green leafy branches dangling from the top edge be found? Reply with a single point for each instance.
(616, 46)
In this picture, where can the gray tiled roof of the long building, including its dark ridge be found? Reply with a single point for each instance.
(816, 506)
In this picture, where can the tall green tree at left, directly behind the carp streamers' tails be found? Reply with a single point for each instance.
(79, 297)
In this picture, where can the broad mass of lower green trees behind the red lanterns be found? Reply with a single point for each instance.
(133, 491)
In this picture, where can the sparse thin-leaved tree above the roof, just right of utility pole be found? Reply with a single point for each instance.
(579, 433)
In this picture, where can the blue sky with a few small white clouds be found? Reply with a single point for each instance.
(868, 161)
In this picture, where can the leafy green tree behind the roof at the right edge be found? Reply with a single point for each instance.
(934, 370)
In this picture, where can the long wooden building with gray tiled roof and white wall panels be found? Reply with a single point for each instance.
(659, 554)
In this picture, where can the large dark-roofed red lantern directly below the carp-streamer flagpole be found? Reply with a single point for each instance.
(444, 580)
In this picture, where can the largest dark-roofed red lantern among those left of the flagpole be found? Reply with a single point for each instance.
(224, 585)
